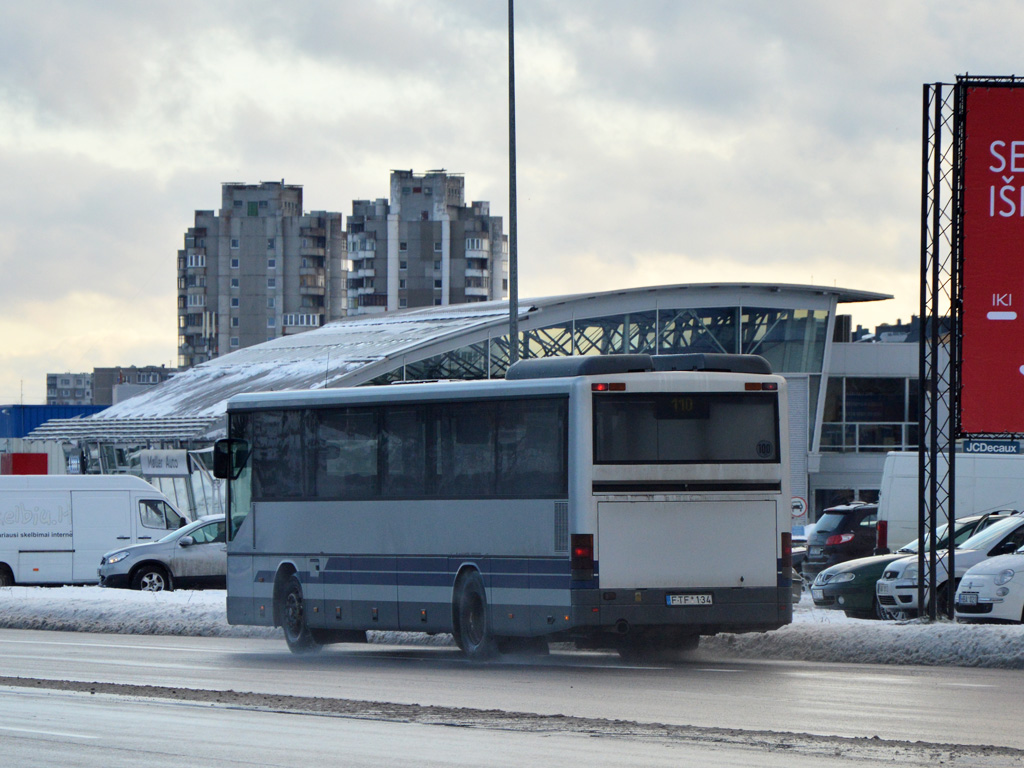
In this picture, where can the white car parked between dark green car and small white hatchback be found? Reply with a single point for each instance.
(898, 589)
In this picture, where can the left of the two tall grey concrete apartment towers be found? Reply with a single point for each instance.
(257, 270)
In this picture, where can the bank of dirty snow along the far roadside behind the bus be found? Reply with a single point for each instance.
(816, 634)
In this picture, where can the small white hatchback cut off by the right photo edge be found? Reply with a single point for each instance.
(993, 590)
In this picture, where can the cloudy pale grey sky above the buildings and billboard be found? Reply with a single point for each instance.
(659, 142)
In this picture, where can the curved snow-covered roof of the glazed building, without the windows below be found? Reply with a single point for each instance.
(329, 355)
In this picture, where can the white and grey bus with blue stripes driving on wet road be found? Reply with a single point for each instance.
(616, 502)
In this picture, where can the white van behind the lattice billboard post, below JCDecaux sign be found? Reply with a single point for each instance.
(986, 483)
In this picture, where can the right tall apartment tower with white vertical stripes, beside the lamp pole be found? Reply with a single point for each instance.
(424, 247)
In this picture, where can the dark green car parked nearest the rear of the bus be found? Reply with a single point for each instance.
(850, 586)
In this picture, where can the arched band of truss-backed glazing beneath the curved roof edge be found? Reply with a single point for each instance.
(792, 340)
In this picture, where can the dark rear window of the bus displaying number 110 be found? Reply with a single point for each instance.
(687, 429)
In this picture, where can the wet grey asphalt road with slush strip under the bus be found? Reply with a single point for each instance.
(745, 712)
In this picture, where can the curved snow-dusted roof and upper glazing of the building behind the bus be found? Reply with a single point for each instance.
(790, 325)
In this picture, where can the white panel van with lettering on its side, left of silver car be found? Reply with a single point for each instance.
(55, 529)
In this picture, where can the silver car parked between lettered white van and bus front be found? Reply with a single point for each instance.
(194, 557)
